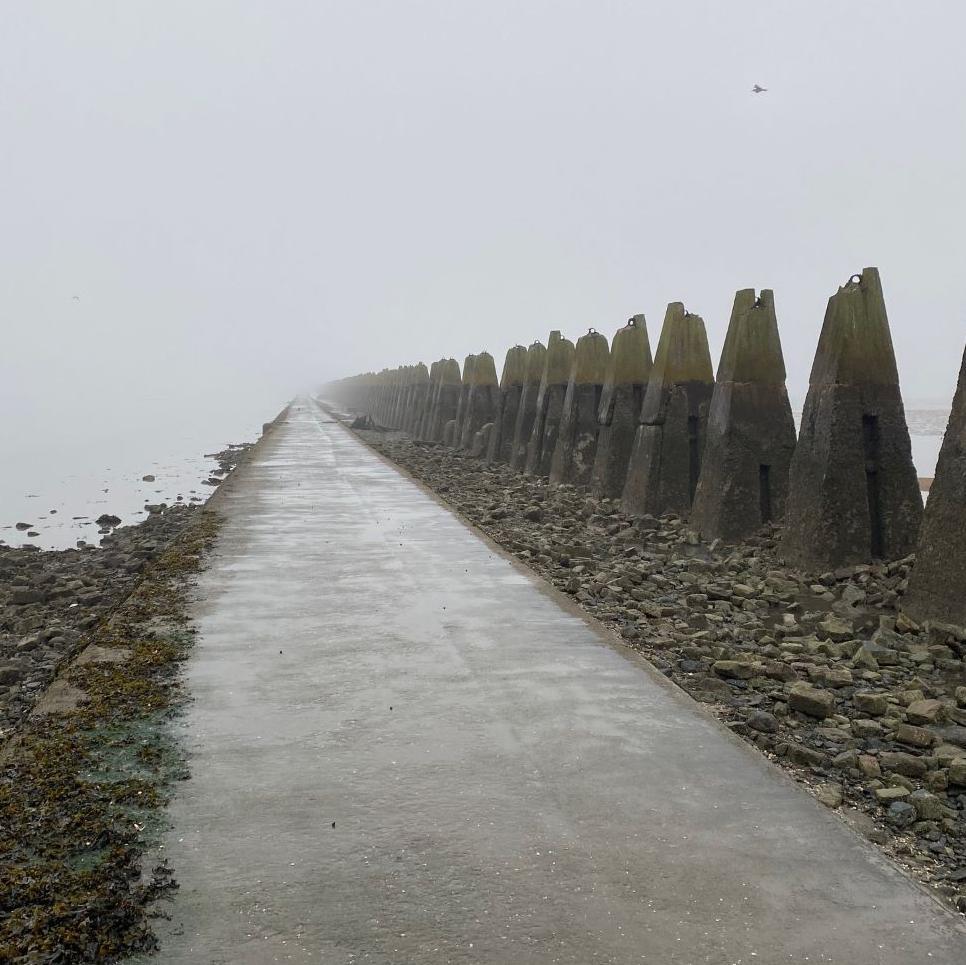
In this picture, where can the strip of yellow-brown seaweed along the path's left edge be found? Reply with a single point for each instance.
(82, 781)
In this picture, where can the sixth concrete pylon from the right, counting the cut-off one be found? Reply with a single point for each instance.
(573, 456)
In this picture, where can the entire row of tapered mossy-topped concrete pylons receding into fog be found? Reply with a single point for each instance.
(665, 436)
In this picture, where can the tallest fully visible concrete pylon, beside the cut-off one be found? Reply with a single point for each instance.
(853, 491)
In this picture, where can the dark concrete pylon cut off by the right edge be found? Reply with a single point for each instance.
(937, 585)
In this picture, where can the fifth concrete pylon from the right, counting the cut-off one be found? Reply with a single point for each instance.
(620, 407)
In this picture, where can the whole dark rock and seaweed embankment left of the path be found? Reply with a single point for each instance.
(91, 642)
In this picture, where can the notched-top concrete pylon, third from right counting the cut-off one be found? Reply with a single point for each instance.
(750, 432)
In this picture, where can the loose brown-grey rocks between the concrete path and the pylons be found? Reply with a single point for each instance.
(818, 671)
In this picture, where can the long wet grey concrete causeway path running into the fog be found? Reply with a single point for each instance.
(405, 748)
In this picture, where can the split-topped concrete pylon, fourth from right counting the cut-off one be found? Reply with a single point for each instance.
(662, 474)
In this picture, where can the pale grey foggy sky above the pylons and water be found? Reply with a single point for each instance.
(251, 196)
